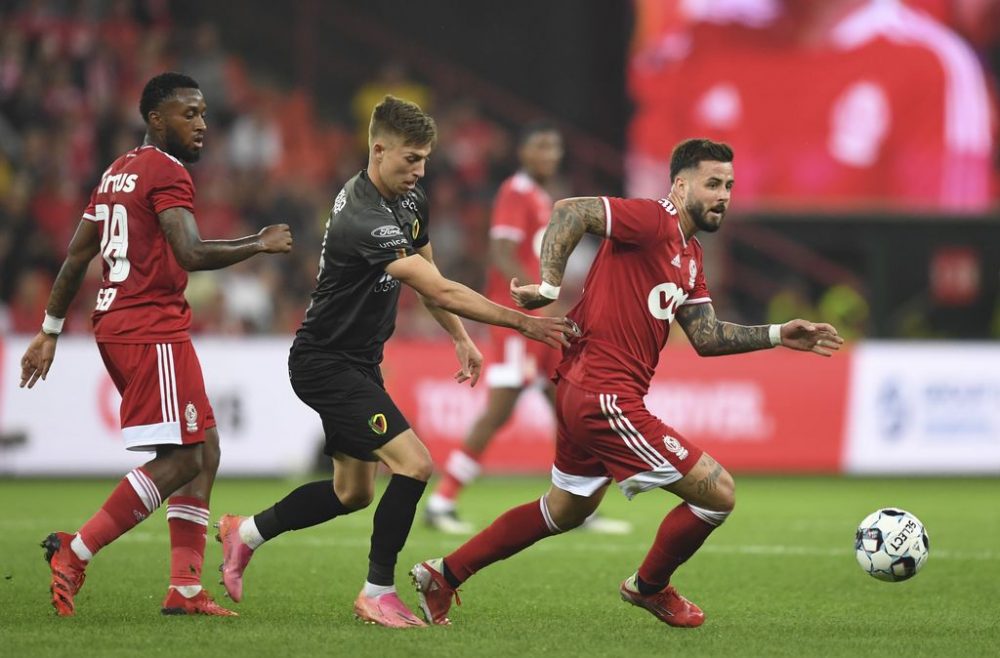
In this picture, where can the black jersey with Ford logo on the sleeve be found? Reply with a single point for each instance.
(353, 309)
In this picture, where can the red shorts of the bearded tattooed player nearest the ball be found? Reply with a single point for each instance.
(601, 436)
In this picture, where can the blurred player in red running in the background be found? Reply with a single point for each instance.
(520, 215)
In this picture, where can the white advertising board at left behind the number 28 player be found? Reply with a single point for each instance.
(68, 424)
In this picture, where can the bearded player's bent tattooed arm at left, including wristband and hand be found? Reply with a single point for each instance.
(571, 218)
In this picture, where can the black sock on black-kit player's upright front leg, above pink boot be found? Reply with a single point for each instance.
(391, 526)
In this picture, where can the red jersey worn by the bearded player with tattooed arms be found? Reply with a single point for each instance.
(643, 272)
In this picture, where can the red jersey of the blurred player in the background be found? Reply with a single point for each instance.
(520, 213)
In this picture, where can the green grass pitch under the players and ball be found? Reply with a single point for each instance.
(778, 579)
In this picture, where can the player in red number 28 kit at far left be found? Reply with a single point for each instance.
(141, 221)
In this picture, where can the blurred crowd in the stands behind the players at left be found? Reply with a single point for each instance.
(70, 79)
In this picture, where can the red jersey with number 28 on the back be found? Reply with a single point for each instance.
(142, 295)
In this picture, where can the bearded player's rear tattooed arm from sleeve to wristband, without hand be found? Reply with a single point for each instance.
(571, 218)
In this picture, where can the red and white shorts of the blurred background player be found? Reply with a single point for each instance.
(517, 361)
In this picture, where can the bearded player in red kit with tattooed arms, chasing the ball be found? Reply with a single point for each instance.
(647, 272)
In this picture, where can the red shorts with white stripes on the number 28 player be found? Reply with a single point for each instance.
(163, 393)
